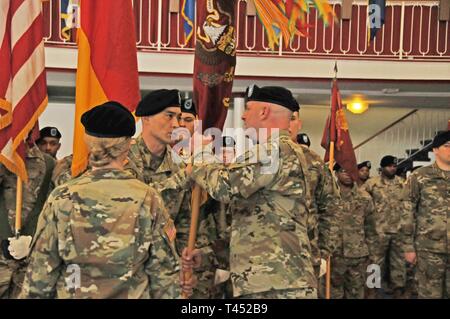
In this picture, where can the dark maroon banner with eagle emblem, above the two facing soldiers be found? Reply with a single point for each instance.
(215, 60)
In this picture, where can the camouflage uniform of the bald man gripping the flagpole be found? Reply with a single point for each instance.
(269, 202)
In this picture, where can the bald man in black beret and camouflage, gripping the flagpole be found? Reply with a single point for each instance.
(271, 190)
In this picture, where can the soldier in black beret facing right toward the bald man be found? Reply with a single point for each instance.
(156, 164)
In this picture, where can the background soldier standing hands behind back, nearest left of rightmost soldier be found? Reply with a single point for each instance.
(386, 191)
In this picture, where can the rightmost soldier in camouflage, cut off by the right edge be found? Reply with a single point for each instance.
(426, 228)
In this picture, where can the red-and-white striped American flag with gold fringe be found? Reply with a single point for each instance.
(23, 87)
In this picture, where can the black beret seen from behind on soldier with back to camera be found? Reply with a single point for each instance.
(110, 119)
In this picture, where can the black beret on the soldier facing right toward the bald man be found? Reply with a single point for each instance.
(156, 101)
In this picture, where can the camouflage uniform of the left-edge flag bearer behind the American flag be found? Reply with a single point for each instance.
(12, 271)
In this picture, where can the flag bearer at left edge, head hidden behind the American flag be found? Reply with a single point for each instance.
(39, 168)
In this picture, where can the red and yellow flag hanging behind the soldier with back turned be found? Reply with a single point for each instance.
(107, 64)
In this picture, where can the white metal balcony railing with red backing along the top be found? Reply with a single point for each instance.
(412, 31)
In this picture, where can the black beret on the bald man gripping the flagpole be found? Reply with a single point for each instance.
(273, 94)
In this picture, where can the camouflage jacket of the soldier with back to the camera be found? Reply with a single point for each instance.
(115, 229)
